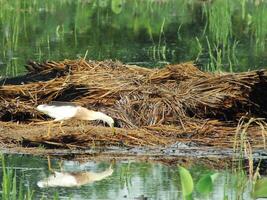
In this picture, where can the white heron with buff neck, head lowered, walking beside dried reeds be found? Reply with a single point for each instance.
(62, 111)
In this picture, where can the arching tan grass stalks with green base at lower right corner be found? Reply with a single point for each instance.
(243, 150)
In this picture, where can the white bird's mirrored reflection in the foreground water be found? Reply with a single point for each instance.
(72, 179)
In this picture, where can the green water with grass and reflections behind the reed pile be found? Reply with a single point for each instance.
(42, 30)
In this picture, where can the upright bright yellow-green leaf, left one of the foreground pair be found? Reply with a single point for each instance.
(186, 182)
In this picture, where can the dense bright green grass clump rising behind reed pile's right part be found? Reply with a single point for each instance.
(220, 47)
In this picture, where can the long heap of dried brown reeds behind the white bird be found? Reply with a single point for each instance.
(177, 102)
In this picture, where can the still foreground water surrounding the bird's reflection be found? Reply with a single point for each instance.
(129, 179)
